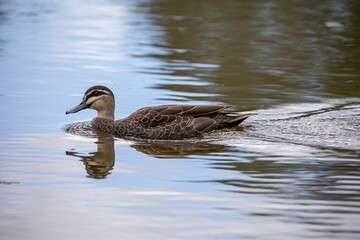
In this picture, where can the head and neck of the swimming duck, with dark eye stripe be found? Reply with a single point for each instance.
(99, 98)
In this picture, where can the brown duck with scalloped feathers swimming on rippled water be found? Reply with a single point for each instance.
(163, 122)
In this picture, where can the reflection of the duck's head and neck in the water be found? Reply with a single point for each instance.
(102, 162)
